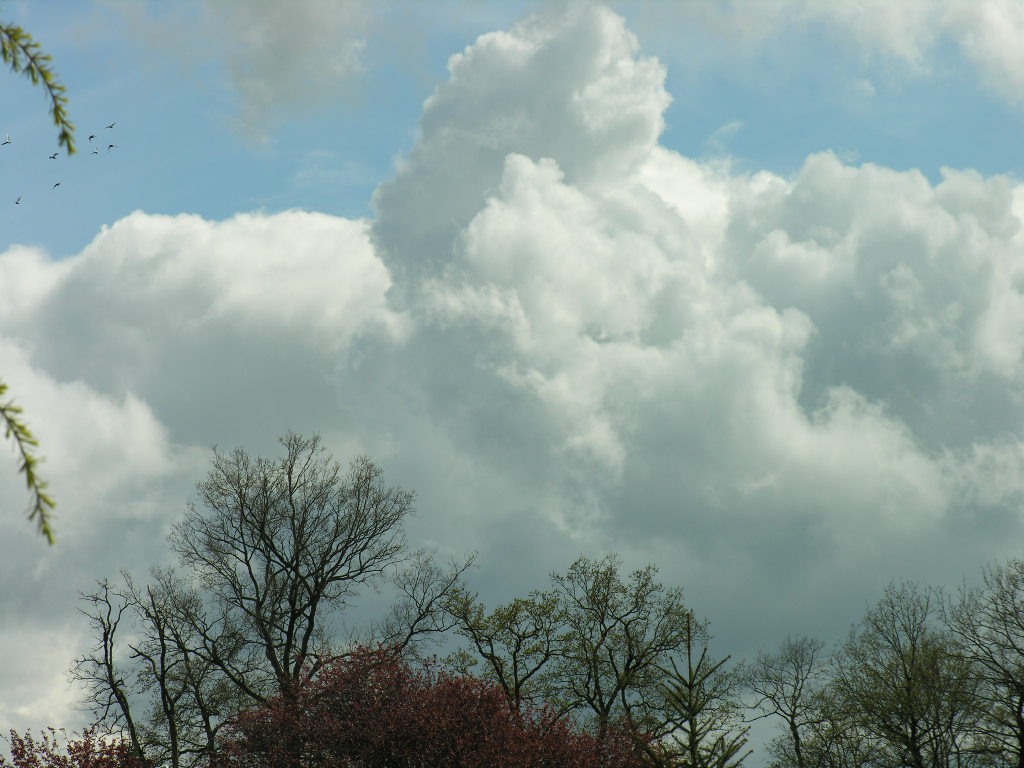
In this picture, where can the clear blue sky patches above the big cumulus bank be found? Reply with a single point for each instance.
(805, 88)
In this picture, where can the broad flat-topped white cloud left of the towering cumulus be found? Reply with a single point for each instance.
(166, 307)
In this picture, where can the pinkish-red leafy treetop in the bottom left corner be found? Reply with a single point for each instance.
(89, 751)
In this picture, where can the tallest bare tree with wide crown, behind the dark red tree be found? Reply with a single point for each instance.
(277, 542)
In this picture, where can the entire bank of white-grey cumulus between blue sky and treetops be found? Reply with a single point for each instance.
(566, 337)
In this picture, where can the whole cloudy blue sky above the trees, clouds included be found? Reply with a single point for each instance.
(734, 289)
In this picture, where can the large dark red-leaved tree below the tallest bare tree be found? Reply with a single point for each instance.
(373, 710)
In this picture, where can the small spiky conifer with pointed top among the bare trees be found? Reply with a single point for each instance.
(704, 711)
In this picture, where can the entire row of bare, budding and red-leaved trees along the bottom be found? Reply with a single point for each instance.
(235, 658)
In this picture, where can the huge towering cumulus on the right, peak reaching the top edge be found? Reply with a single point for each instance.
(781, 378)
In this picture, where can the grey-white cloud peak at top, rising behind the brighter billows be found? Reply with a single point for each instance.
(570, 87)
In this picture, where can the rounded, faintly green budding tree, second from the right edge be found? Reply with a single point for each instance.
(900, 678)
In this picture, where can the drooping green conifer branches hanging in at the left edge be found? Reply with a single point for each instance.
(25, 56)
